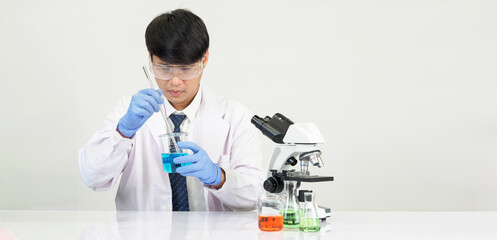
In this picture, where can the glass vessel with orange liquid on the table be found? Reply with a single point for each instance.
(268, 209)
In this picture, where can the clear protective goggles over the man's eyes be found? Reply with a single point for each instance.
(183, 72)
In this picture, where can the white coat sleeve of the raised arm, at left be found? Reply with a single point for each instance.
(103, 158)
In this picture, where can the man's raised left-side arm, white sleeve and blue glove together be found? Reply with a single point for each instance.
(104, 157)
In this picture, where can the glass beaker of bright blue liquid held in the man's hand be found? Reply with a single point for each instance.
(170, 152)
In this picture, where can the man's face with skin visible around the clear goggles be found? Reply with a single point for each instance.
(179, 92)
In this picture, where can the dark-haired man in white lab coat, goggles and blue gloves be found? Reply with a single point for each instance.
(225, 174)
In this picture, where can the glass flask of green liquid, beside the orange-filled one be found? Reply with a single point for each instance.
(291, 209)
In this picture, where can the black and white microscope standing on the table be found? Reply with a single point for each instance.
(296, 144)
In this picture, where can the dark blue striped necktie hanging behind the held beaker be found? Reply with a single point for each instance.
(178, 182)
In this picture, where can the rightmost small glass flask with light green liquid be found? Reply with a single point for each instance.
(309, 222)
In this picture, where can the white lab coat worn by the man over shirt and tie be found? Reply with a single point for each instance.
(222, 128)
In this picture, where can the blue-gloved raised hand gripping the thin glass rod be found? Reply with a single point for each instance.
(143, 105)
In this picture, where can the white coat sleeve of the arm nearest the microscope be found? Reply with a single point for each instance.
(244, 176)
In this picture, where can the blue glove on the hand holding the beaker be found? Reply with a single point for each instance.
(202, 168)
